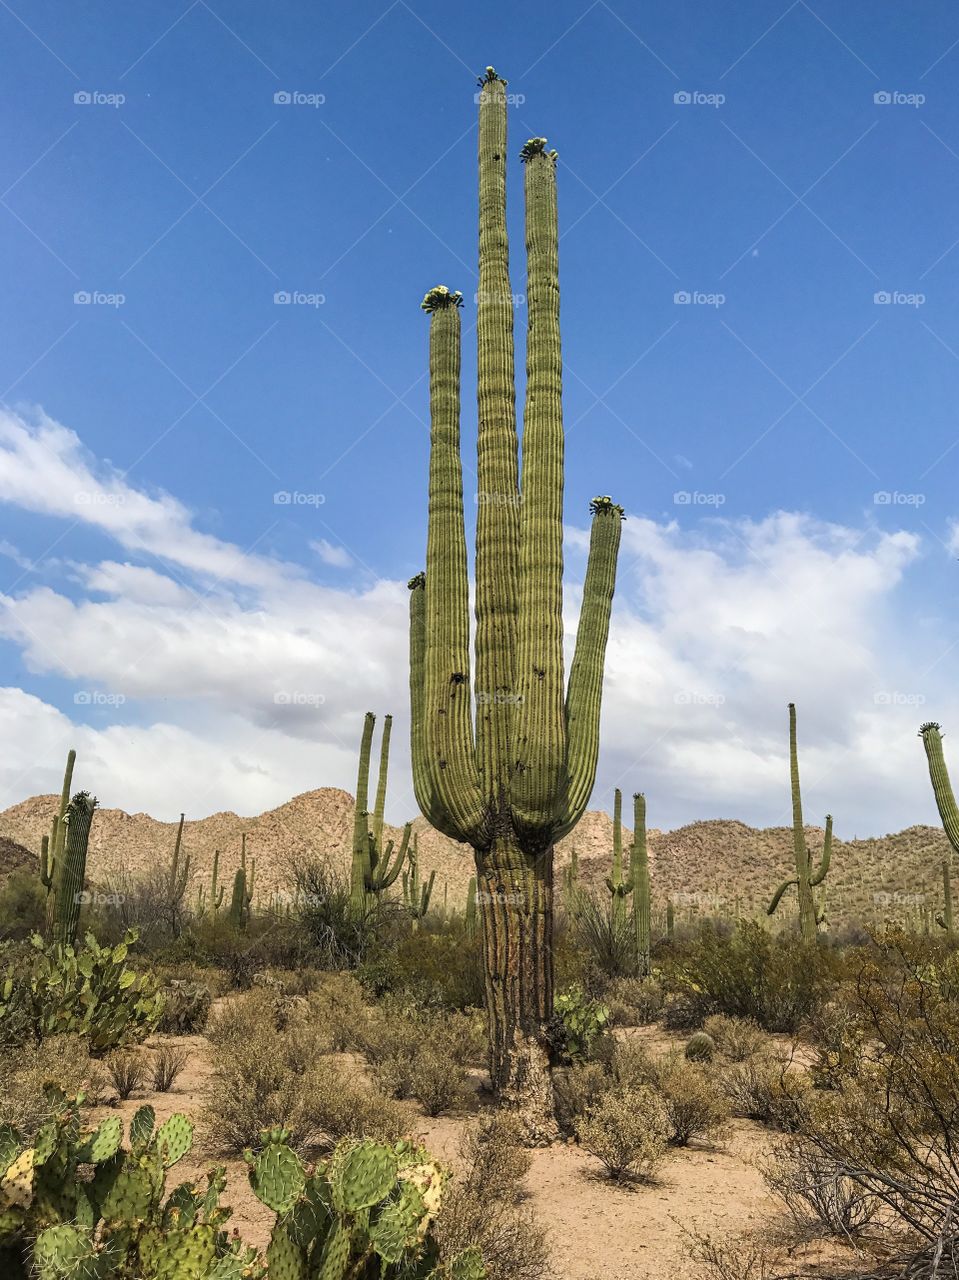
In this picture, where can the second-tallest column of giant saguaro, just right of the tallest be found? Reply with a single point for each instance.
(538, 785)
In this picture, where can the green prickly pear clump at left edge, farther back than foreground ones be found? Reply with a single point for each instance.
(89, 990)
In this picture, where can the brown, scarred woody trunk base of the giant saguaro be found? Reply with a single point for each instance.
(515, 897)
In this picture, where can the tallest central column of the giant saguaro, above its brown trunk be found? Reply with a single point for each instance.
(497, 469)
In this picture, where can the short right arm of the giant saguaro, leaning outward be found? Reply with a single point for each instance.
(586, 688)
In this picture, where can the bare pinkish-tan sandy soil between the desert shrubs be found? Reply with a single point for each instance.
(597, 1231)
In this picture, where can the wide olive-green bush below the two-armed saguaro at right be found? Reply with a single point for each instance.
(779, 982)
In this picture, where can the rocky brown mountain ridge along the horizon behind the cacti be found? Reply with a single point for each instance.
(709, 867)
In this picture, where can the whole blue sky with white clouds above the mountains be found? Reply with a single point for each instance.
(156, 598)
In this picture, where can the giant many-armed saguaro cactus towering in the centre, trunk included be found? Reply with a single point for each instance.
(518, 779)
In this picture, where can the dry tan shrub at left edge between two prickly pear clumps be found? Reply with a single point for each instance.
(62, 1060)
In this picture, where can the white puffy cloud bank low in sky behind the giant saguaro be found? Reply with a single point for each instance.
(238, 683)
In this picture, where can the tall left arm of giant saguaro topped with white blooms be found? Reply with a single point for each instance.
(449, 717)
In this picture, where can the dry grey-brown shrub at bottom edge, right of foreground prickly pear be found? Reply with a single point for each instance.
(483, 1206)
